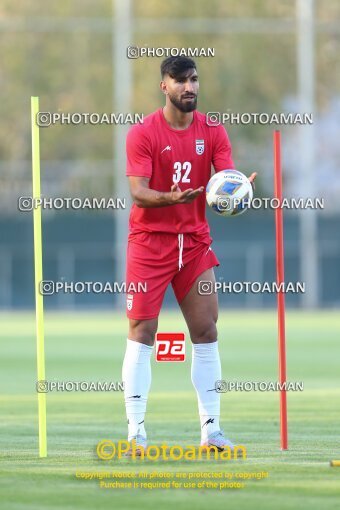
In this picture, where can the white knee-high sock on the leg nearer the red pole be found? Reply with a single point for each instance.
(205, 371)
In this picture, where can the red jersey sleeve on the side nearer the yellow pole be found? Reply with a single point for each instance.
(138, 153)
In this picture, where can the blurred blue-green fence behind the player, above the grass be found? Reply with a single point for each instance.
(81, 247)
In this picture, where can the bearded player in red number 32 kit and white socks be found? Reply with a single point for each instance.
(169, 160)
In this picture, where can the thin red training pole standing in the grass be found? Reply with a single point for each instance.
(280, 295)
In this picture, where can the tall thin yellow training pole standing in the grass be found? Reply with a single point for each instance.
(39, 302)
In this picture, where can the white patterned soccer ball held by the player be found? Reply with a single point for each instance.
(229, 193)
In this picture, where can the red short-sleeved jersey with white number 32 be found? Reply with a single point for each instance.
(167, 156)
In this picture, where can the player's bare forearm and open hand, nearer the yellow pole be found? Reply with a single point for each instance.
(143, 196)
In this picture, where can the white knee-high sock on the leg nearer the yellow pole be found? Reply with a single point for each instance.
(136, 375)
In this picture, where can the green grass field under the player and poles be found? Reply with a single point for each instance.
(90, 347)
